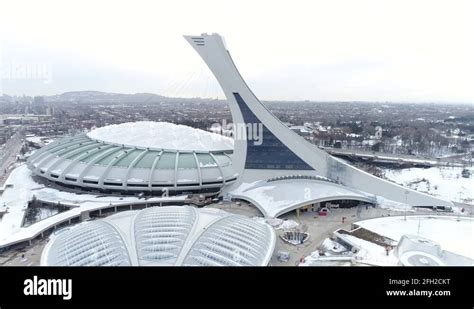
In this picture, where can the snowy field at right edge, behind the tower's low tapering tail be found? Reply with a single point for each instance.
(445, 182)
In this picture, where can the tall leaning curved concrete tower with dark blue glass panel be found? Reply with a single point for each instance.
(266, 148)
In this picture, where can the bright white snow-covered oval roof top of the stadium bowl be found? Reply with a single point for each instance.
(162, 135)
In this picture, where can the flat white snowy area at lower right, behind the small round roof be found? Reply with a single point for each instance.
(453, 235)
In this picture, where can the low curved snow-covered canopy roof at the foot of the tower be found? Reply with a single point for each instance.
(279, 197)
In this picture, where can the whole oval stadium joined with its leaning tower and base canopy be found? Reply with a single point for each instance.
(266, 163)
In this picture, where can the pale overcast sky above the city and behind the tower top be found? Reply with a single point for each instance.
(410, 51)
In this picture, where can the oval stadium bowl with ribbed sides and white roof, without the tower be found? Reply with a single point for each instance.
(148, 157)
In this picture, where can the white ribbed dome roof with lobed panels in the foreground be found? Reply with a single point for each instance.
(171, 235)
